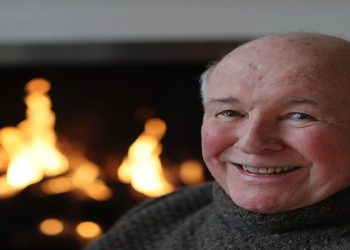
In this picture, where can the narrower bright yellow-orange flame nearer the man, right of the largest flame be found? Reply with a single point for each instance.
(142, 166)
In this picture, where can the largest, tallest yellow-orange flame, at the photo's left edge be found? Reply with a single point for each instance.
(31, 146)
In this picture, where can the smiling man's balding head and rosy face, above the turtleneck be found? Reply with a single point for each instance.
(276, 128)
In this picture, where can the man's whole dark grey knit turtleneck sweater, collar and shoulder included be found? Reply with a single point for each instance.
(205, 218)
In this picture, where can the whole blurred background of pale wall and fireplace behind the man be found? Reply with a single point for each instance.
(100, 105)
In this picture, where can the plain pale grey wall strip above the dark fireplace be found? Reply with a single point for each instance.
(64, 21)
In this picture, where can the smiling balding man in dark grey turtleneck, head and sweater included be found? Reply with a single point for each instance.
(276, 138)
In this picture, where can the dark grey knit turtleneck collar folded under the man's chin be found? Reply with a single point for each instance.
(333, 210)
